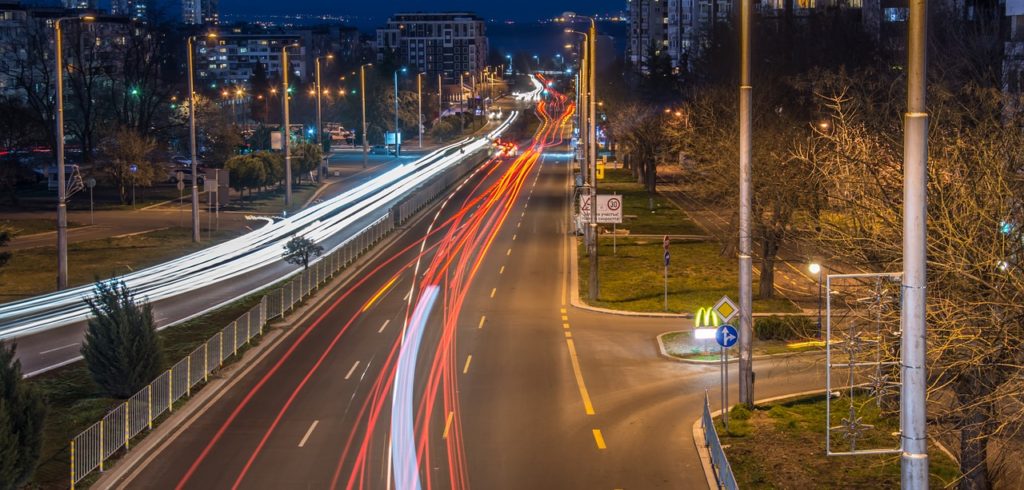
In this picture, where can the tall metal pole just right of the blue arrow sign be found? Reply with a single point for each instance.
(746, 154)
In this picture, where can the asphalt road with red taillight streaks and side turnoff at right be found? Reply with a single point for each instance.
(453, 361)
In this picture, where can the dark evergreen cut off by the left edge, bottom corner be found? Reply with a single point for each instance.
(22, 417)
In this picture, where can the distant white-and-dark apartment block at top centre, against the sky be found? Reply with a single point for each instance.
(450, 43)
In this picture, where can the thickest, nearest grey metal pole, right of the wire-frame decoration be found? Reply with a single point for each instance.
(914, 462)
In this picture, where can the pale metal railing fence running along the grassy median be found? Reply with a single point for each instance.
(92, 449)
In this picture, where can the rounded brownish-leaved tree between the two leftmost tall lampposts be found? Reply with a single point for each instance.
(126, 148)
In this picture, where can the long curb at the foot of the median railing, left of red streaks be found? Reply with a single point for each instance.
(150, 448)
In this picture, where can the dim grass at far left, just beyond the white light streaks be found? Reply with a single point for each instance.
(32, 272)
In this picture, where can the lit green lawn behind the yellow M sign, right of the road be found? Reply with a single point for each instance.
(632, 280)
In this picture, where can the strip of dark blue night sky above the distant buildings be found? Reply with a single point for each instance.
(515, 10)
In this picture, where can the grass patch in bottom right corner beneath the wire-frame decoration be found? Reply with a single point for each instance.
(783, 447)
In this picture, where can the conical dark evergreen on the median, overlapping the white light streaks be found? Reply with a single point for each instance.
(121, 348)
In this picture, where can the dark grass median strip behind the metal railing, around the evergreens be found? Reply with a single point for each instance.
(74, 402)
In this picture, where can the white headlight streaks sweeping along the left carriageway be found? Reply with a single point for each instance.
(250, 252)
